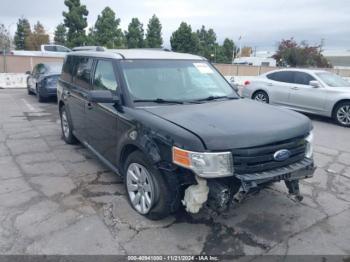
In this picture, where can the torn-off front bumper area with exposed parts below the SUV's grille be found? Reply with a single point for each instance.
(223, 190)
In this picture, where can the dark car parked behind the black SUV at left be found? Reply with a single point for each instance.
(43, 80)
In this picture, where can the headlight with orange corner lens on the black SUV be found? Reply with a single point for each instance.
(207, 165)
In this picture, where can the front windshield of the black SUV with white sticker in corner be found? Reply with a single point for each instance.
(174, 80)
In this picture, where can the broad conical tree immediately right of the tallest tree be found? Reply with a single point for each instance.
(106, 31)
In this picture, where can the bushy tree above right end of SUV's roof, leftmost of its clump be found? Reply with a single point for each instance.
(184, 40)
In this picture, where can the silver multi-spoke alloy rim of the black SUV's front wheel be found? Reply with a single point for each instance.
(140, 188)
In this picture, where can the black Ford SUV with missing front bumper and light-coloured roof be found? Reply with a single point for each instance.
(174, 128)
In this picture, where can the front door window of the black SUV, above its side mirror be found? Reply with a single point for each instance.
(104, 78)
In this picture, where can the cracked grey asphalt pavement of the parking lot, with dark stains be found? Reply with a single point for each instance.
(59, 199)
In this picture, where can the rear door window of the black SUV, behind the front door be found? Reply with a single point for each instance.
(82, 72)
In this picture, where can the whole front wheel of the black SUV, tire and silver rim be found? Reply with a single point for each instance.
(149, 191)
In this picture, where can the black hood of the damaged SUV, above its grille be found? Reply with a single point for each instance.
(235, 123)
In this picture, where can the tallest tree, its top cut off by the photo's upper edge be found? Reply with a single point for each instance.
(76, 22)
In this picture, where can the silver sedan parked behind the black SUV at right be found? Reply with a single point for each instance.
(311, 91)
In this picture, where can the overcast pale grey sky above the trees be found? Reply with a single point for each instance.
(260, 23)
